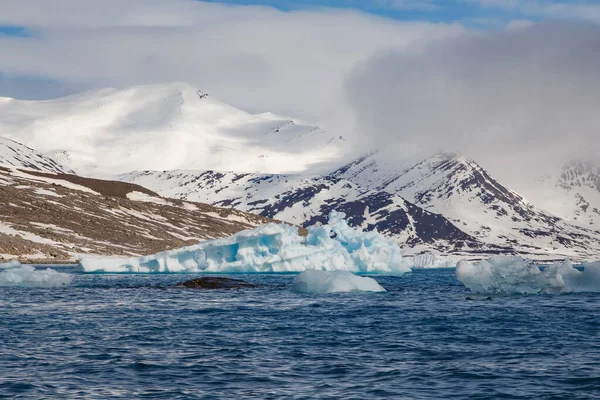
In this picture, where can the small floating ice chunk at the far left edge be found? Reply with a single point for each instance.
(28, 276)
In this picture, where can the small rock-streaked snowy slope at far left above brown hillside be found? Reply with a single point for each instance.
(14, 154)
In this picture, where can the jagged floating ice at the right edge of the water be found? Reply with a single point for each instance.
(515, 275)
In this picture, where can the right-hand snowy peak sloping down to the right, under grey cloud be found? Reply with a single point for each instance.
(462, 191)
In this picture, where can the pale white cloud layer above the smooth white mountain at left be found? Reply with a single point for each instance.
(256, 58)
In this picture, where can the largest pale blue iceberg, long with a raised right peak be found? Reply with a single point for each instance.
(271, 248)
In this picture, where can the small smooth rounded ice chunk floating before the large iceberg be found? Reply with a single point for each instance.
(321, 282)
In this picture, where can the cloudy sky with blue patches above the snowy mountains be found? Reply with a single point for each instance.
(510, 83)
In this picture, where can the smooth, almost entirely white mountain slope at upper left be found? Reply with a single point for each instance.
(160, 127)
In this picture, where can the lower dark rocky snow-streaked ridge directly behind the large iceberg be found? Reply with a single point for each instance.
(304, 200)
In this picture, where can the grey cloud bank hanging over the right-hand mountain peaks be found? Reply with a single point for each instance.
(517, 101)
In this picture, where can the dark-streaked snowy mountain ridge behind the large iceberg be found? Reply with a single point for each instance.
(446, 201)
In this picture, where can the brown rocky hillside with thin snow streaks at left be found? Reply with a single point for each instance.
(57, 218)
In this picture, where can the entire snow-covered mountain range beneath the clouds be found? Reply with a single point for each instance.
(191, 146)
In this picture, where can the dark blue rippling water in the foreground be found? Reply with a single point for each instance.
(126, 336)
